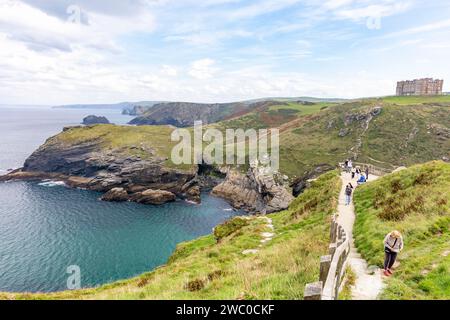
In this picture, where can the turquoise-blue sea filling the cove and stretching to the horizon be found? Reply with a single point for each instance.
(45, 228)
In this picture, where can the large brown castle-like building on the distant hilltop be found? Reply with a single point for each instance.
(420, 87)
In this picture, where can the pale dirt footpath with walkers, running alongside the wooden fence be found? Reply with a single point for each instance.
(369, 281)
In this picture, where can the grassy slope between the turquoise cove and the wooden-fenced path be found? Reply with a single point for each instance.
(214, 267)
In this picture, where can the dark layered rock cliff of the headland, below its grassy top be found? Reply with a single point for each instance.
(122, 175)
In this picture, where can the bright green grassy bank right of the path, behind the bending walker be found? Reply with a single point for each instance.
(415, 201)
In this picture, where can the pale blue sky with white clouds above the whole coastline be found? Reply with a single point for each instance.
(105, 51)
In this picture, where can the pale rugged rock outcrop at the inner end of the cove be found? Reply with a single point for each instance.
(256, 191)
